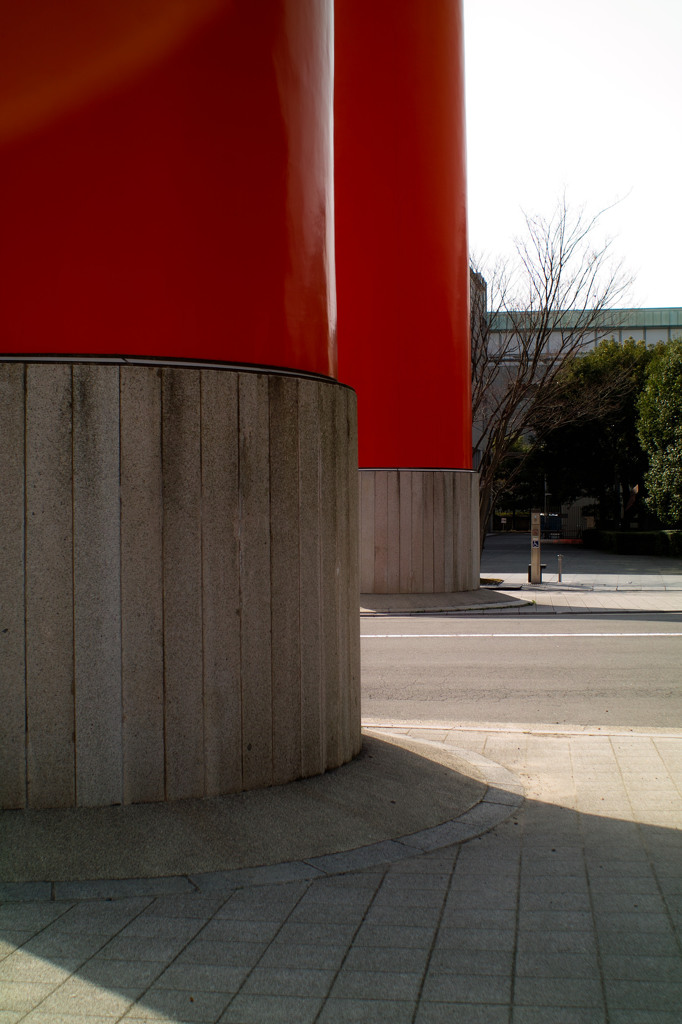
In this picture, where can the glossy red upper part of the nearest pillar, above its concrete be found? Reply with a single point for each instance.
(166, 181)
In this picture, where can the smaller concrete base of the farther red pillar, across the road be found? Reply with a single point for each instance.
(419, 532)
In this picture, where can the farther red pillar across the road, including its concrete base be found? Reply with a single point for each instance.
(403, 284)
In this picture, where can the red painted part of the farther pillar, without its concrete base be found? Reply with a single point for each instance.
(402, 239)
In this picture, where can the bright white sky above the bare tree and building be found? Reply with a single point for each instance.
(584, 96)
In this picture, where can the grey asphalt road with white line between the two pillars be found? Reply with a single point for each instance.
(592, 671)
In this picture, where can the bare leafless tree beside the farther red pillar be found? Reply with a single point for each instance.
(531, 317)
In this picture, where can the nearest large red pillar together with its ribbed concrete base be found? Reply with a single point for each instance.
(179, 462)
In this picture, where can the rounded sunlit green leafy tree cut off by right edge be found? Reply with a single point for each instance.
(661, 433)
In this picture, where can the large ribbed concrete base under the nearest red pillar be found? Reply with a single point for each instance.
(179, 579)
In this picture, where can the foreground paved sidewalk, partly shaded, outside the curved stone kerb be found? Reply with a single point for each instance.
(570, 912)
